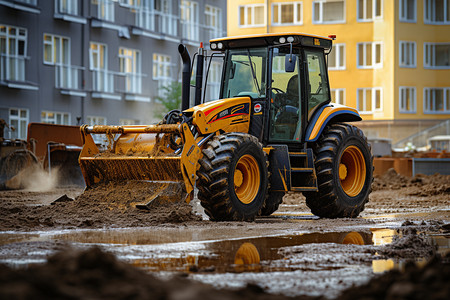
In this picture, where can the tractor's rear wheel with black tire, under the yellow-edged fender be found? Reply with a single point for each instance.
(344, 166)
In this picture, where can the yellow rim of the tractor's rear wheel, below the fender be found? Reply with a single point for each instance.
(352, 171)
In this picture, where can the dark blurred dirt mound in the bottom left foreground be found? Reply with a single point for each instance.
(93, 274)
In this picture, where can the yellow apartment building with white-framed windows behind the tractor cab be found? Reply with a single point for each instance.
(391, 58)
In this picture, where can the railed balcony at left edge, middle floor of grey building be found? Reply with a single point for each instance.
(12, 72)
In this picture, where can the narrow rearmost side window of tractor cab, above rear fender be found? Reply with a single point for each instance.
(318, 81)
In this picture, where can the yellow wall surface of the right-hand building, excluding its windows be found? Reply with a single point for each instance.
(389, 121)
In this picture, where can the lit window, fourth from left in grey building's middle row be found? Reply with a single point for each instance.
(130, 67)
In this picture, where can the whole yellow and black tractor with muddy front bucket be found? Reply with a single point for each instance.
(273, 130)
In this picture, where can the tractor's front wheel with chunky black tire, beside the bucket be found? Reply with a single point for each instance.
(233, 177)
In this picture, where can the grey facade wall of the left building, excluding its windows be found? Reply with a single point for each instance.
(38, 91)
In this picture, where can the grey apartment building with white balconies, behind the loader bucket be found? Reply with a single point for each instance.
(96, 61)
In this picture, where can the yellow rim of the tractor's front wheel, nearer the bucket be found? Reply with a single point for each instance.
(246, 179)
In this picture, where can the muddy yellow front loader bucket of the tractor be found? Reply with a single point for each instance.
(135, 156)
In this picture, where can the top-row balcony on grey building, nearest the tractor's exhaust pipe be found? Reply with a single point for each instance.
(152, 23)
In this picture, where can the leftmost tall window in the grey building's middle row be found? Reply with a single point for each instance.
(13, 51)
